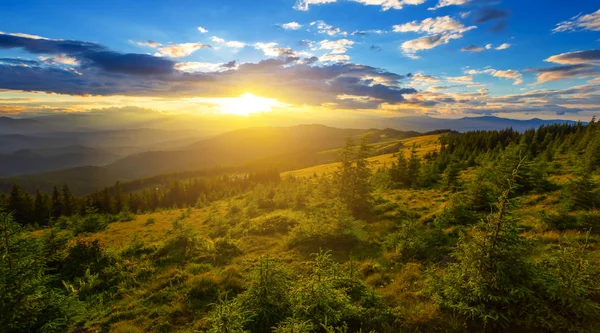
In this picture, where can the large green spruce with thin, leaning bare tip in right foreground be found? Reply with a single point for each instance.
(490, 283)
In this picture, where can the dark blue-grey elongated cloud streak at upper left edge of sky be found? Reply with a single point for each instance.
(91, 54)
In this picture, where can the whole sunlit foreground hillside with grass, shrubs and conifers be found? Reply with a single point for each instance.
(501, 222)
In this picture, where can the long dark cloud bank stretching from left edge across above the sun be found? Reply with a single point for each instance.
(287, 77)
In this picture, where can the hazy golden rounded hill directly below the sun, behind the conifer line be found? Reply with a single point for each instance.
(284, 147)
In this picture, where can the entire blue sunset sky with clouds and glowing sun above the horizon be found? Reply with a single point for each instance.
(318, 58)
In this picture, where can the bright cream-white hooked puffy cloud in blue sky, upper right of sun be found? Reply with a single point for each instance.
(439, 30)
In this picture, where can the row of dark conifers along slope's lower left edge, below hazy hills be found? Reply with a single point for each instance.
(42, 208)
